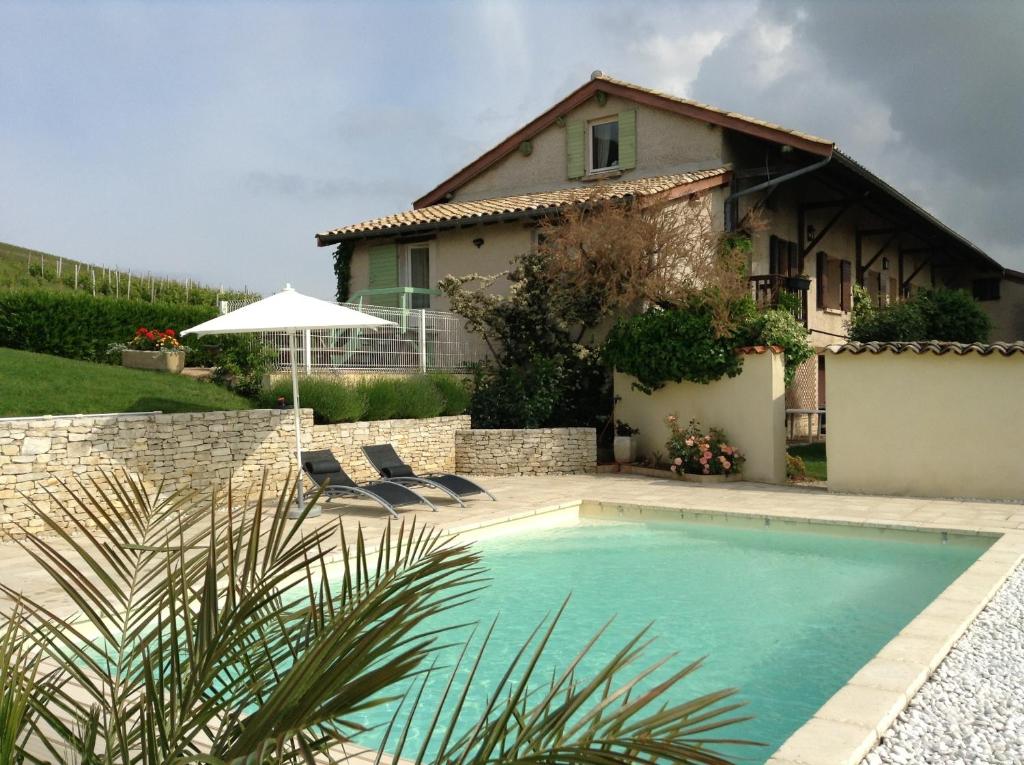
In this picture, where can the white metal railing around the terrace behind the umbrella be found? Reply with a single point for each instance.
(421, 341)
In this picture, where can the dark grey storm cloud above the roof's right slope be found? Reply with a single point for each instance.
(929, 96)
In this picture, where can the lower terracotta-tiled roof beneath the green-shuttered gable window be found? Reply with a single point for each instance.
(455, 211)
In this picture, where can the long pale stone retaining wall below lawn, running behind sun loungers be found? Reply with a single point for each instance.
(200, 450)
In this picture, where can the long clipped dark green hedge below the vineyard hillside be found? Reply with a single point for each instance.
(79, 326)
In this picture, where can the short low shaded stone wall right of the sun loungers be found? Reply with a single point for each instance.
(540, 452)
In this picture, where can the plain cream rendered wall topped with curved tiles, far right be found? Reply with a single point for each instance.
(927, 419)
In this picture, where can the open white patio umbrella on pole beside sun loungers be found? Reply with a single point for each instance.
(292, 313)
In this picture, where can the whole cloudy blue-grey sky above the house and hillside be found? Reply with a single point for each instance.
(214, 140)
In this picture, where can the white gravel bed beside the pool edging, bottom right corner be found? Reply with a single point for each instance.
(971, 711)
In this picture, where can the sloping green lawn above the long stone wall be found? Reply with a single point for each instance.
(38, 385)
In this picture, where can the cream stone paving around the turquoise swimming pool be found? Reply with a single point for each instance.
(847, 728)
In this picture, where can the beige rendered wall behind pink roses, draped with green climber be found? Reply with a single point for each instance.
(751, 408)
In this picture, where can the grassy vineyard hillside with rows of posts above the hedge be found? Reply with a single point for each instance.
(22, 268)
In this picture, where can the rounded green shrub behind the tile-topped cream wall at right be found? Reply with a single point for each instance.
(930, 315)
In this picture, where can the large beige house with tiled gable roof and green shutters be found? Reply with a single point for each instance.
(829, 219)
